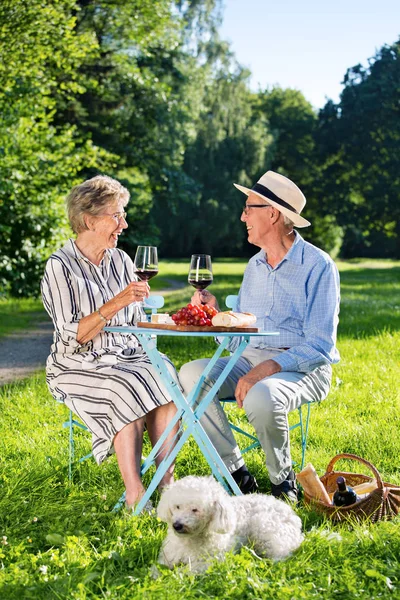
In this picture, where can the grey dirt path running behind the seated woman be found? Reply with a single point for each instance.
(24, 352)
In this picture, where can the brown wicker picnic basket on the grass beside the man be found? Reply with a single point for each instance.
(382, 503)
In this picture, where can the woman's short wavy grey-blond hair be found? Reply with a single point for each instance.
(91, 197)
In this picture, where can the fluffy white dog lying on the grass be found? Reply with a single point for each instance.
(204, 523)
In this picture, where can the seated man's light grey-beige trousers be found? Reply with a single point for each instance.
(267, 406)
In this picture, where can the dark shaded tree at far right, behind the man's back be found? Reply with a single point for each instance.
(359, 140)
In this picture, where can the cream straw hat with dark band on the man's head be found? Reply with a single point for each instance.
(282, 193)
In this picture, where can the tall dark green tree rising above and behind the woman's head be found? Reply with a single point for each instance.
(143, 92)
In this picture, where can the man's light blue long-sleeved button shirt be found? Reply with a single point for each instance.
(300, 299)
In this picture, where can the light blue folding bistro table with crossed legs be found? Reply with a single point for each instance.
(187, 411)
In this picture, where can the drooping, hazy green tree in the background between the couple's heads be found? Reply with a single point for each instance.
(230, 146)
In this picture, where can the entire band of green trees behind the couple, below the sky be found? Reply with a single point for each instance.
(146, 91)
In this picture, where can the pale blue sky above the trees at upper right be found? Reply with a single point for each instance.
(308, 45)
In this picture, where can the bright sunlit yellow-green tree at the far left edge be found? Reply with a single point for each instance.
(39, 48)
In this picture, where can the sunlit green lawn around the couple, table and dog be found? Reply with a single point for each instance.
(63, 541)
